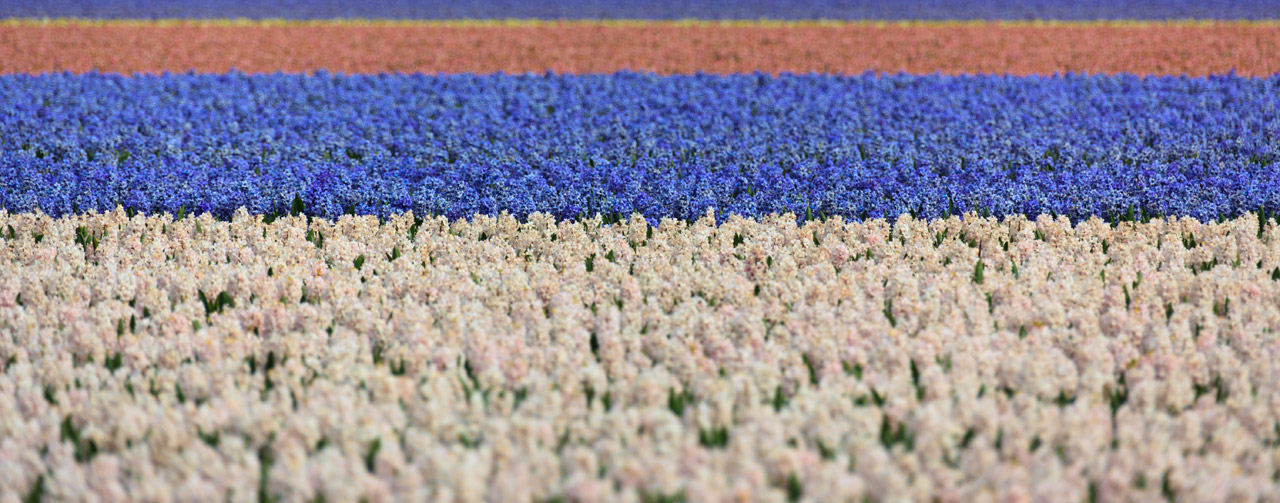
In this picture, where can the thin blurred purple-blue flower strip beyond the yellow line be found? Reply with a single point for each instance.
(652, 10)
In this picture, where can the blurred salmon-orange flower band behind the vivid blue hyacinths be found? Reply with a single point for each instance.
(1195, 49)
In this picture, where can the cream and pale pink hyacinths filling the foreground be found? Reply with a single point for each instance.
(956, 360)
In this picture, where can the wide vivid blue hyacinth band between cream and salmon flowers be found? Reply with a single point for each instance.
(574, 147)
